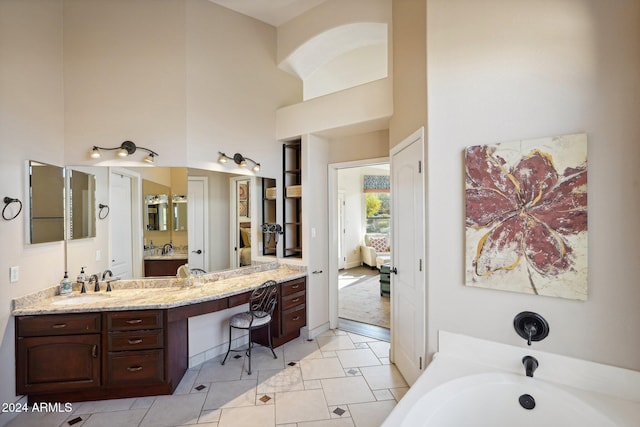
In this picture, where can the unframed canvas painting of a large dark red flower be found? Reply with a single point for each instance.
(526, 216)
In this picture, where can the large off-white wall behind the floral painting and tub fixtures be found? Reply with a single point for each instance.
(501, 71)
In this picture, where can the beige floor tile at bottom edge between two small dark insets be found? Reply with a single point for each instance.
(299, 406)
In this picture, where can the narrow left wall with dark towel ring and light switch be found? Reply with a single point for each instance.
(31, 127)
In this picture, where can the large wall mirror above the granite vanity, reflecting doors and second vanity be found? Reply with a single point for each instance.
(205, 220)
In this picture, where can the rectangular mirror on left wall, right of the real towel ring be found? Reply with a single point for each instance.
(46, 202)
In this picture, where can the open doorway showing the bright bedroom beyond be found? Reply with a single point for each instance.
(356, 301)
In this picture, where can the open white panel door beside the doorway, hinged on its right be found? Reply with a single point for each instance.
(408, 282)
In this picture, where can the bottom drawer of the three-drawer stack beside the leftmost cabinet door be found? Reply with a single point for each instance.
(135, 367)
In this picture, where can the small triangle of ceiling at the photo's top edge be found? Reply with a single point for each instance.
(274, 12)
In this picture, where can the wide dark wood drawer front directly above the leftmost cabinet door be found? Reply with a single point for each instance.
(58, 324)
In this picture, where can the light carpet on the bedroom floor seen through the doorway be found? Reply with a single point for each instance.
(361, 302)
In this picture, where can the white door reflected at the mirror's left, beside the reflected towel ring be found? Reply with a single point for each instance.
(121, 226)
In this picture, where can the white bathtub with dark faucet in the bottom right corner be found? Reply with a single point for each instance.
(473, 382)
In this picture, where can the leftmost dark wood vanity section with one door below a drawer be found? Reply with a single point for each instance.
(58, 353)
